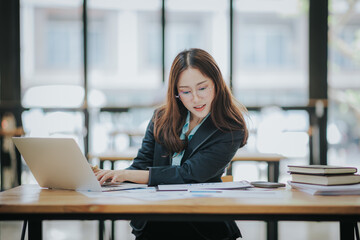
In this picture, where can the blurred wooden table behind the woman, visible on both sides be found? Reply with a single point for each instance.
(271, 159)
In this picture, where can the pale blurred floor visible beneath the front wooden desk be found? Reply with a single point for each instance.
(251, 230)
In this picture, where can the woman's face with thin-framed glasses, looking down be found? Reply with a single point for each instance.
(196, 92)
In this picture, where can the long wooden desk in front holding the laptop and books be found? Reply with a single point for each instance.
(29, 202)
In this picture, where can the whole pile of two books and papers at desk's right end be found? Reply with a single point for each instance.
(325, 179)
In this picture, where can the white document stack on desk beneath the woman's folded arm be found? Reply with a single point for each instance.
(206, 186)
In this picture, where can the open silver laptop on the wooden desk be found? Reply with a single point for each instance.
(59, 163)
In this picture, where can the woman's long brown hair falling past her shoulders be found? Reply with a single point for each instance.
(226, 112)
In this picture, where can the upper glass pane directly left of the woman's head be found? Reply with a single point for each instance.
(124, 53)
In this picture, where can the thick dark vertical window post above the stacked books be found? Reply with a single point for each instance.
(318, 47)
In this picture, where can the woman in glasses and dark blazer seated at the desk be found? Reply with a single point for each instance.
(191, 139)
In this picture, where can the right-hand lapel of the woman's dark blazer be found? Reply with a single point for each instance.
(206, 130)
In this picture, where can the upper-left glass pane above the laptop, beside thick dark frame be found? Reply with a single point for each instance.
(51, 54)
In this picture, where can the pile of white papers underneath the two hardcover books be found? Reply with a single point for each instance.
(353, 189)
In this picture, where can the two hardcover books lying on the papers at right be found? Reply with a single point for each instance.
(324, 175)
